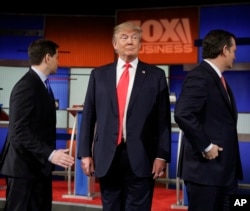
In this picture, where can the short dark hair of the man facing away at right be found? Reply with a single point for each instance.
(214, 42)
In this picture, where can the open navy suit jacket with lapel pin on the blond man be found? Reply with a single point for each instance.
(148, 119)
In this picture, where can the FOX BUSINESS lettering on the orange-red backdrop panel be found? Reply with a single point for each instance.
(166, 36)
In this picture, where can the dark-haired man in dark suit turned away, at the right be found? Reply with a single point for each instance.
(206, 113)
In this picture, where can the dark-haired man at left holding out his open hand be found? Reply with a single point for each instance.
(29, 153)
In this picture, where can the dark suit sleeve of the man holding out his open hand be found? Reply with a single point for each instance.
(28, 122)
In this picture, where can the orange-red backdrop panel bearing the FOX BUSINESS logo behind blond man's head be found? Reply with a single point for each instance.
(168, 34)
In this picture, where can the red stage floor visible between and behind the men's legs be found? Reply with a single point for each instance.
(165, 199)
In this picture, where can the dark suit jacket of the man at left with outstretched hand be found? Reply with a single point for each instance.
(32, 130)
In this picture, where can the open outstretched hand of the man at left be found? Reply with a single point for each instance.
(62, 158)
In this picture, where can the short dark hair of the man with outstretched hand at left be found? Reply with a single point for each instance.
(39, 48)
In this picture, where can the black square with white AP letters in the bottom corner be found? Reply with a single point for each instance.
(240, 202)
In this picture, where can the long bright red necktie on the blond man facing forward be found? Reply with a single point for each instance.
(122, 89)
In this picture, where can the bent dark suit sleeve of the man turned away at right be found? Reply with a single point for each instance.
(188, 110)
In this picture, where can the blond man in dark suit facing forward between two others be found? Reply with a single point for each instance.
(126, 171)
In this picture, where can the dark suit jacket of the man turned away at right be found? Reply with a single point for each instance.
(205, 114)
